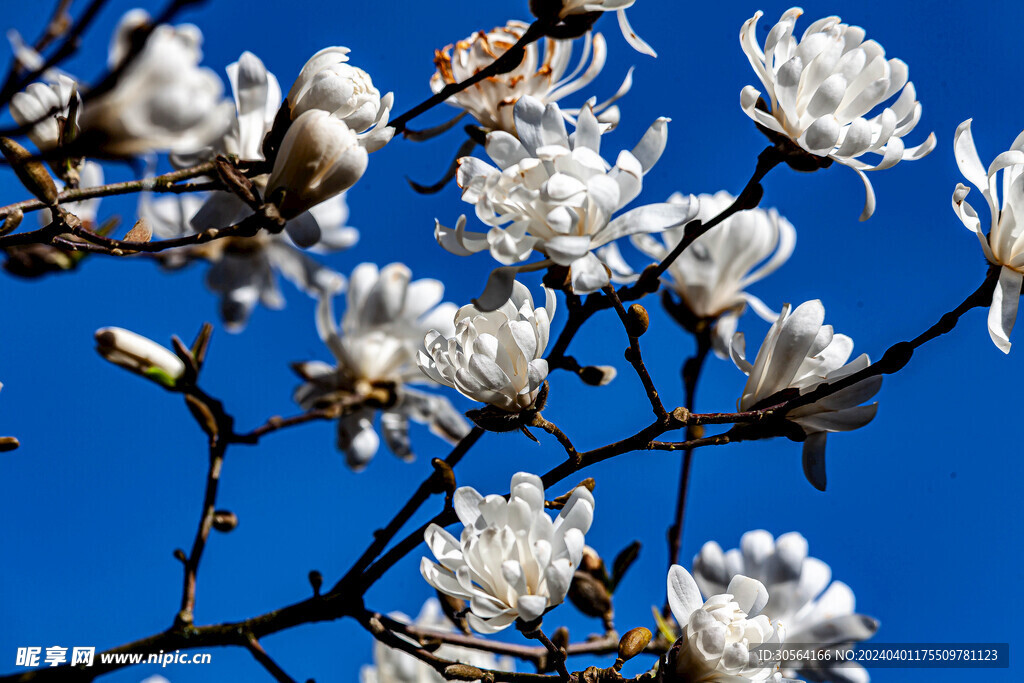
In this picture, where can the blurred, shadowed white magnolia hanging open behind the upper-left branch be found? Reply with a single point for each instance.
(243, 270)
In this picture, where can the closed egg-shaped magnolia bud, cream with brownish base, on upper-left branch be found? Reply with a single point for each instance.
(320, 158)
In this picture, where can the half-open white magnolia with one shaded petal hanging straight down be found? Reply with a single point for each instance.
(800, 353)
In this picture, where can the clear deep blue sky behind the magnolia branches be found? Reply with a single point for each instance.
(921, 518)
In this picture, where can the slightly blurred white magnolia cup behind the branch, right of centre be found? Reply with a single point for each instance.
(712, 275)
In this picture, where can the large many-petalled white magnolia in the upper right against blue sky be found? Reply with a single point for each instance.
(823, 88)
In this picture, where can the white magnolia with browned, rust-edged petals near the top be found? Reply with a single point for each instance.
(492, 101)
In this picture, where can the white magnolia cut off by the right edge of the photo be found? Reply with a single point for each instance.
(1004, 244)
